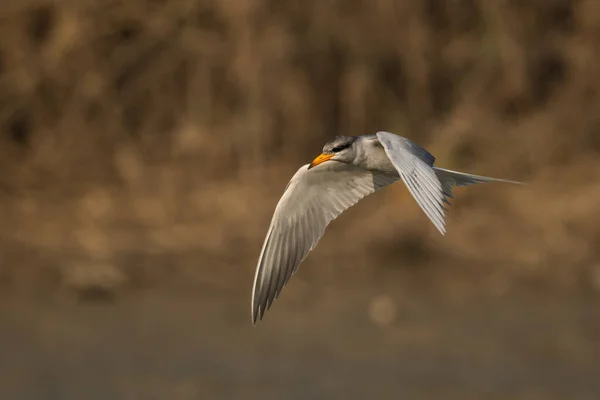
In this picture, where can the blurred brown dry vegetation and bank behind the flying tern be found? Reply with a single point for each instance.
(135, 129)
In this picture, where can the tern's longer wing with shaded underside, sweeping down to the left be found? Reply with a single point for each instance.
(312, 199)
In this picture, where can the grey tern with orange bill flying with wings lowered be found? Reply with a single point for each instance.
(349, 168)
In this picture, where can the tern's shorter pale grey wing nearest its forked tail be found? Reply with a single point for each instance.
(415, 166)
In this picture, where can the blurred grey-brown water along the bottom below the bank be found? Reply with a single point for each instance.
(168, 345)
